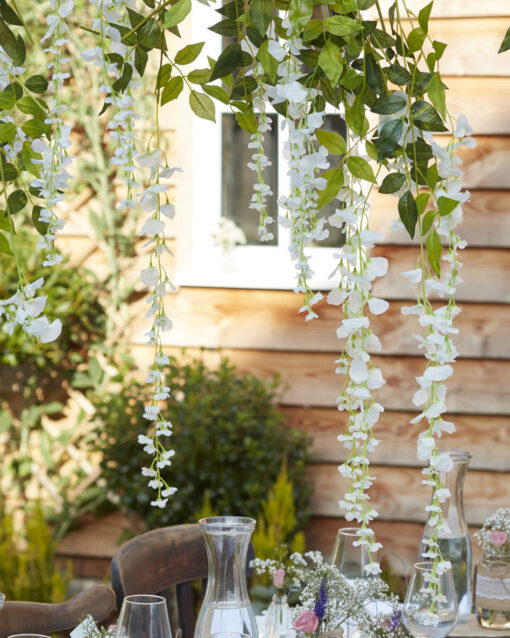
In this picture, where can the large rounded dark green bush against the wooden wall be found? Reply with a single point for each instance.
(230, 440)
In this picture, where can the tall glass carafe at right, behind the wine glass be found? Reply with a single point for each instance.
(455, 545)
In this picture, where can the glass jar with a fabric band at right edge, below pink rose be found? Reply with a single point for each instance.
(492, 592)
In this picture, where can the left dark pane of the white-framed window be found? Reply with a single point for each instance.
(237, 179)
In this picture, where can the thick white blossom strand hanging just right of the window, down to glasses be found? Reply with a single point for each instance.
(358, 270)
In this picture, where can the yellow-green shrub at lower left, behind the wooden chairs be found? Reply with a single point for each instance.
(27, 560)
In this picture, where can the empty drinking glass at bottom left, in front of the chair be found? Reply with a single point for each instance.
(143, 616)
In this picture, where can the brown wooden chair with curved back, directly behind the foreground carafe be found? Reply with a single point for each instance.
(156, 562)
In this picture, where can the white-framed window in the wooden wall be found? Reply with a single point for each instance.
(222, 185)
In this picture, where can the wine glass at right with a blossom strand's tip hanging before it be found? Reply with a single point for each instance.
(430, 606)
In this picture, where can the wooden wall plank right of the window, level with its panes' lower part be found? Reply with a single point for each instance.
(486, 220)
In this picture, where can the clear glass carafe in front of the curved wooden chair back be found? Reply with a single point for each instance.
(226, 607)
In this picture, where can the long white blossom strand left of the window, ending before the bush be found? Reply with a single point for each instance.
(154, 201)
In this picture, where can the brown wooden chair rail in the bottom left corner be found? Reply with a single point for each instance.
(42, 618)
